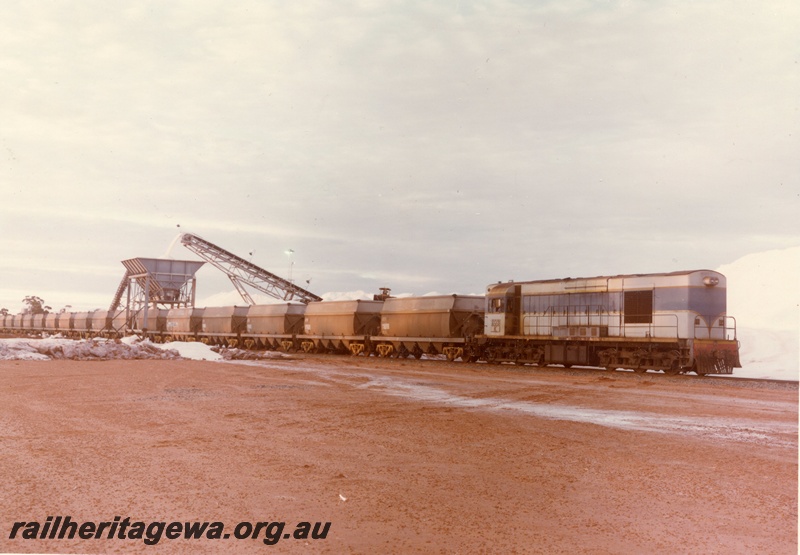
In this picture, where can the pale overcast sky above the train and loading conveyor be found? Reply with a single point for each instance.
(423, 146)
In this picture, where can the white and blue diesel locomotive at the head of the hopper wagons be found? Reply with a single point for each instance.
(675, 322)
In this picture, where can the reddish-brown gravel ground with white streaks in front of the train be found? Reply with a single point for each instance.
(400, 456)
